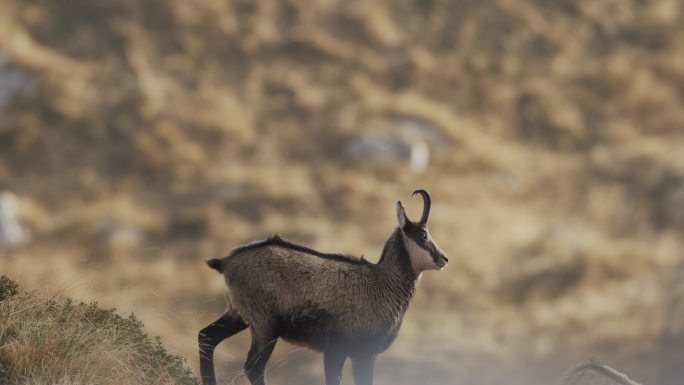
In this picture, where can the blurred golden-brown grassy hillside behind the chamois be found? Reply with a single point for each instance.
(138, 138)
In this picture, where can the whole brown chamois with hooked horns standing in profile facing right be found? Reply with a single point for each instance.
(343, 306)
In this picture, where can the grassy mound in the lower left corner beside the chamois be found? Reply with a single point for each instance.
(46, 340)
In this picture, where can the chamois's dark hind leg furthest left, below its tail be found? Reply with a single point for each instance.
(228, 325)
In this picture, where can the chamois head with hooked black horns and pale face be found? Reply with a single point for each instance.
(422, 249)
